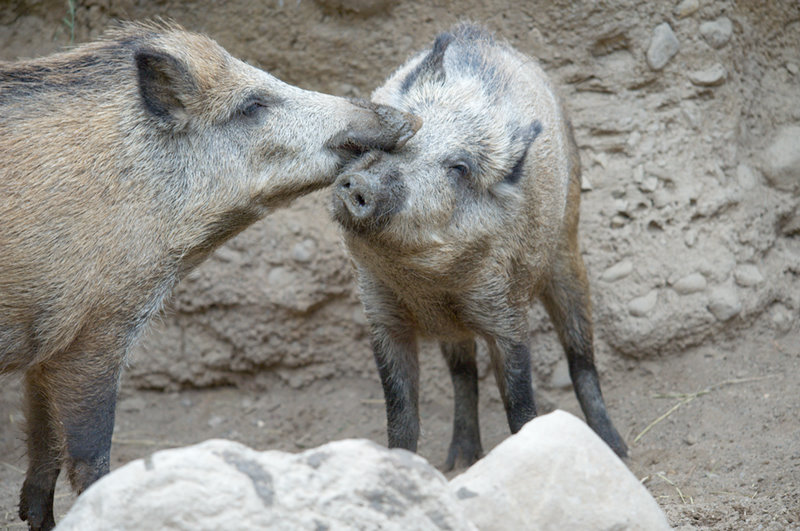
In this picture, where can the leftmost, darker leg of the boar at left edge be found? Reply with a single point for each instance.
(44, 456)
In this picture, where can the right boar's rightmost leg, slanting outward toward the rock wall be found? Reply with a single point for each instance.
(566, 297)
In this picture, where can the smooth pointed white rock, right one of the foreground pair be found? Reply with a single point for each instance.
(555, 473)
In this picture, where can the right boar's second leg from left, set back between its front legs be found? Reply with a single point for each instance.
(465, 448)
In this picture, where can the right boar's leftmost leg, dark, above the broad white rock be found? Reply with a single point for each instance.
(398, 366)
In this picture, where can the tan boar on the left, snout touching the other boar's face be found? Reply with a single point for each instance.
(123, 164)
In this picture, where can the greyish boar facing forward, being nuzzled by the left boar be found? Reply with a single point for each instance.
(457, 233)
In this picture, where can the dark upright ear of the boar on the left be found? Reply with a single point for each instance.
(164, 84)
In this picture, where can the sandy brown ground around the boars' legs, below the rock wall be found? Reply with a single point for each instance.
(726, 454)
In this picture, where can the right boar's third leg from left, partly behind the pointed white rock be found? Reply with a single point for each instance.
(511, 361)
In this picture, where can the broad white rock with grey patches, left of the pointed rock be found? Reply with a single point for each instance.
(352, 484)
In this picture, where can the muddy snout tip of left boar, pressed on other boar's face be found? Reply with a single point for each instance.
(375, 127)
